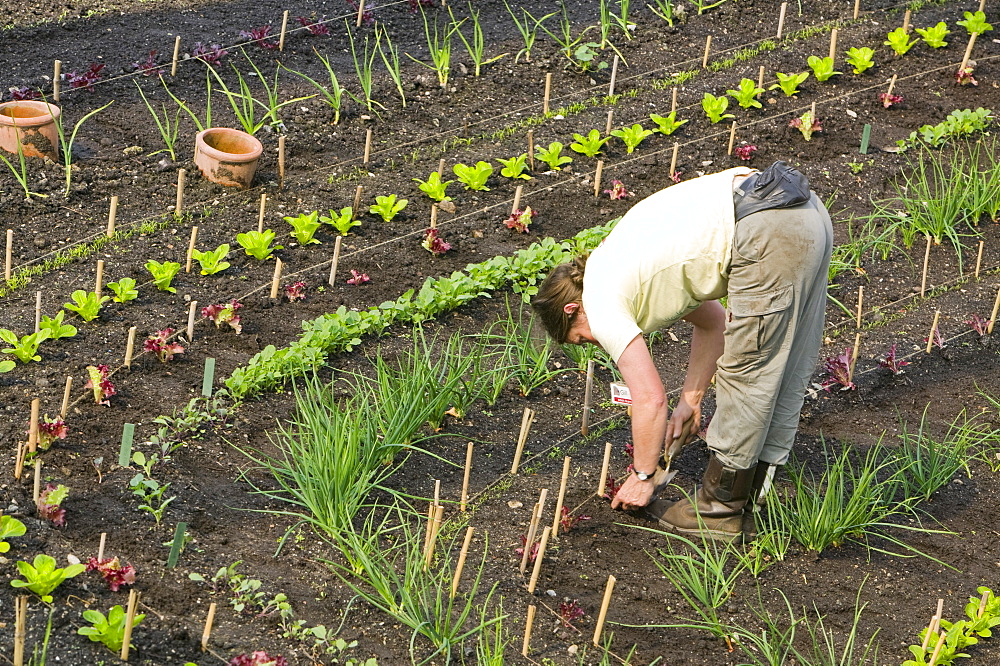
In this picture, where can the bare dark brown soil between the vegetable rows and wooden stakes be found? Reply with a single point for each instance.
(476, 118)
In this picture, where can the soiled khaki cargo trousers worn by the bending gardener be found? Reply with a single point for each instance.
(774, 326)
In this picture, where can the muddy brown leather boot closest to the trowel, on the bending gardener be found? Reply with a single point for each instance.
(717, 508)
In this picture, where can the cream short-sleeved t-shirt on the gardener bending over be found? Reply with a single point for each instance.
(668, 254)
